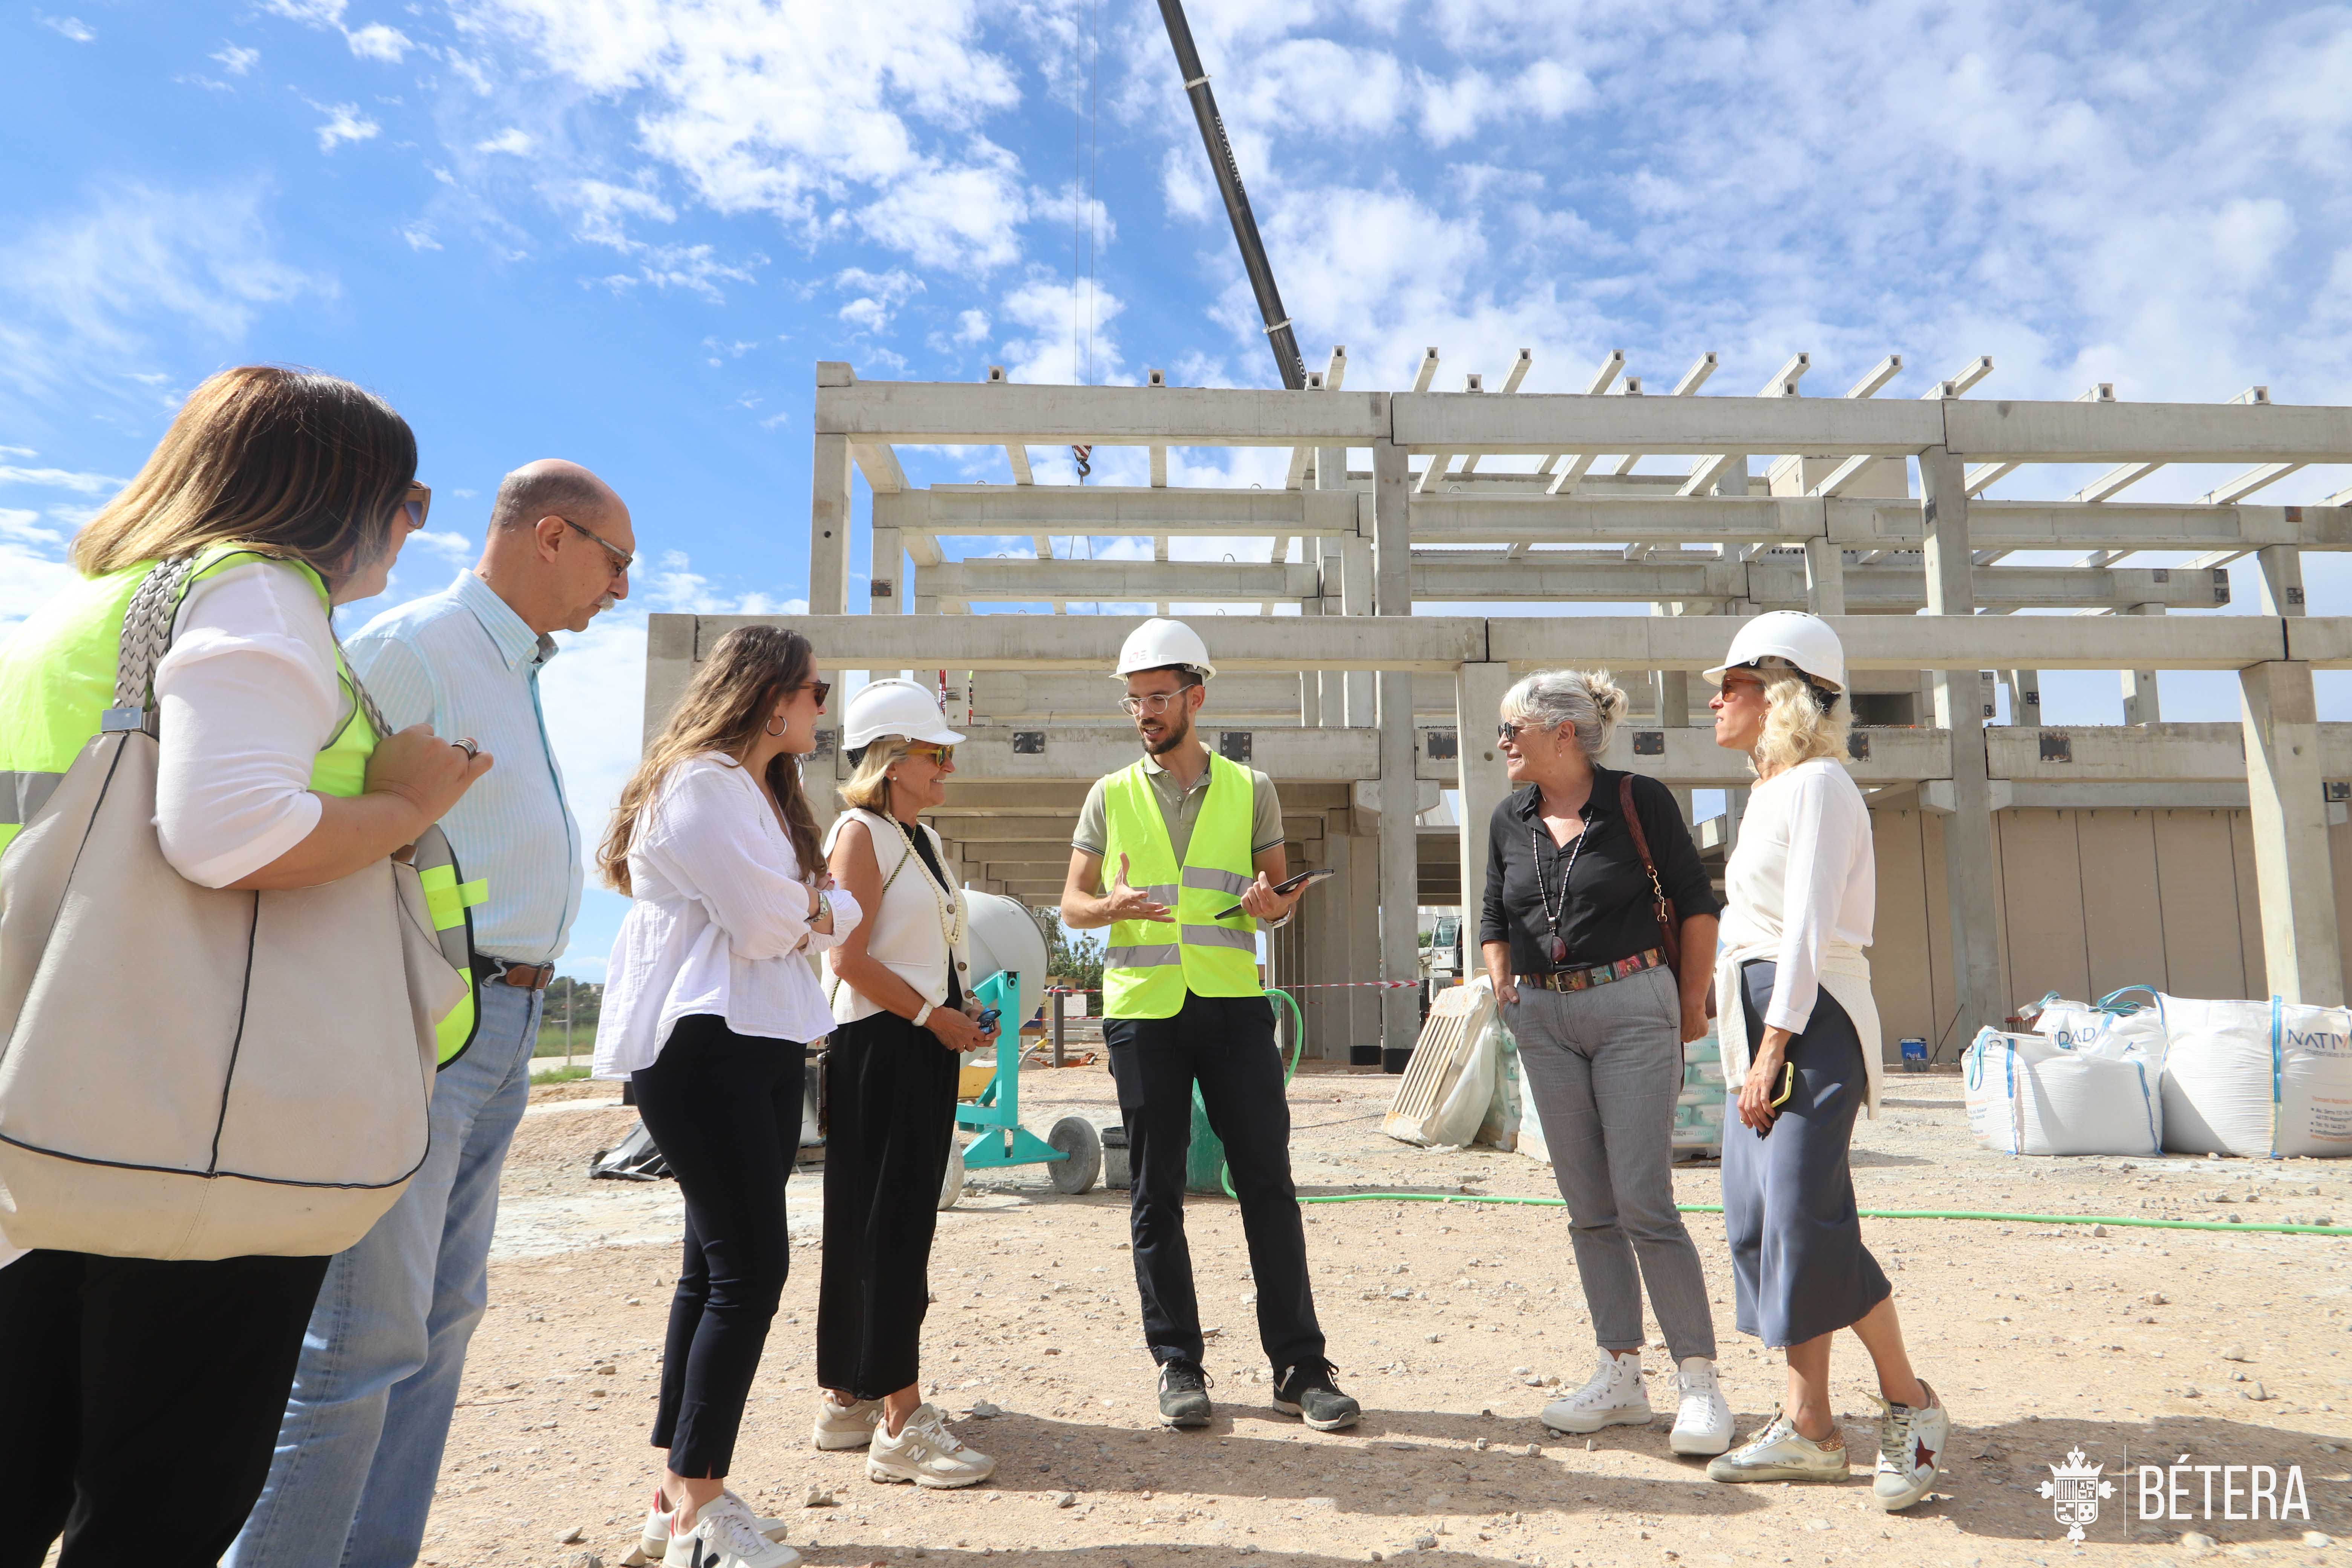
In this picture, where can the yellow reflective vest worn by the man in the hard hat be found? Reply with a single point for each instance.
(1147, 974)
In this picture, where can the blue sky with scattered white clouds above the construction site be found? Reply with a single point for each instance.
(624, 232)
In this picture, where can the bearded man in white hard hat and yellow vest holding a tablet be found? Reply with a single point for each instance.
(1189, 836)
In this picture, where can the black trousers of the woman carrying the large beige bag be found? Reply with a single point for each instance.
(140, 1402)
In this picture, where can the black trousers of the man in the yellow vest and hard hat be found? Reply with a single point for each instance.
(1227, 1047)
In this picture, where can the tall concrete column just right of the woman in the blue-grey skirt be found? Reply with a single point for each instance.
(1967, 838)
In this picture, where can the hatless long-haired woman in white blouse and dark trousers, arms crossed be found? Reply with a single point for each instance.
(707, 1010)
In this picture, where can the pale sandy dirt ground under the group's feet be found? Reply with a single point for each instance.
(1452, 1325)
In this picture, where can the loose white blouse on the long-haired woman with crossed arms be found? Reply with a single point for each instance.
(719, 923)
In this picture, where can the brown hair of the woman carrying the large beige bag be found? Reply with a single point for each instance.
(302, 464)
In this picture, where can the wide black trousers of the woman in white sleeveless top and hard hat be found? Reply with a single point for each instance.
(890, 1120)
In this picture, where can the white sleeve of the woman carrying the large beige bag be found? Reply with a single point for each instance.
(248, 699)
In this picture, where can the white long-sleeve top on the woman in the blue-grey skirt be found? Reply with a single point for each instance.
(1803, 890)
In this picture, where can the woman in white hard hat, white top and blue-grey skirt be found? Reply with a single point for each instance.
(1803, 1054)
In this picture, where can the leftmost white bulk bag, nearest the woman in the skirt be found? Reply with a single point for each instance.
(2031, 1094)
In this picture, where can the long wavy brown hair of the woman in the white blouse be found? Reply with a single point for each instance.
(723, 709)
